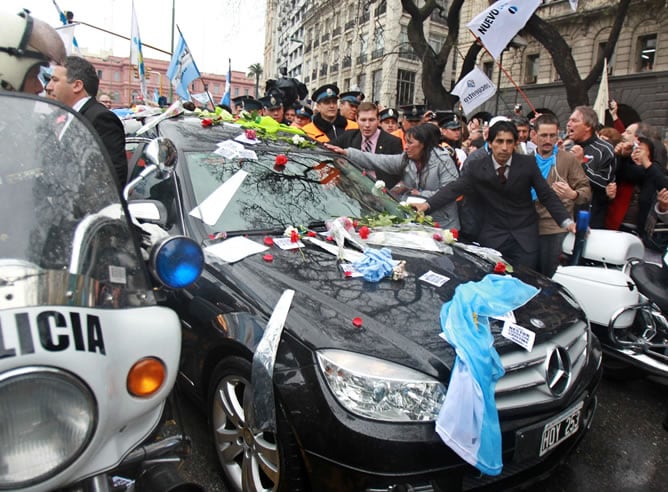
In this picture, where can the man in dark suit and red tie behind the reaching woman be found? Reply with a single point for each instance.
(369, 137)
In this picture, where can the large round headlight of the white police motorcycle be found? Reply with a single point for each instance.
(48, 418)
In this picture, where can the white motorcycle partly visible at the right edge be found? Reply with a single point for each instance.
(624, 296)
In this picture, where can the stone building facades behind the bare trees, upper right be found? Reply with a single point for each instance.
(364, 44)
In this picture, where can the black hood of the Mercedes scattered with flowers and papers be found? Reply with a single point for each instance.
(400, 318)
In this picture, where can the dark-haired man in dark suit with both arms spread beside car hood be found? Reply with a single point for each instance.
(502, 183)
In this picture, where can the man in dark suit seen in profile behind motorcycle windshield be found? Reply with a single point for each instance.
(75, 83)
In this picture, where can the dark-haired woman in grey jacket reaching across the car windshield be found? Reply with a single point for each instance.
(423, 168)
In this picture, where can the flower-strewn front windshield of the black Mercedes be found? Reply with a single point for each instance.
(311, 187)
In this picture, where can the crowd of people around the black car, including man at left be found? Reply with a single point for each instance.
(511, 182)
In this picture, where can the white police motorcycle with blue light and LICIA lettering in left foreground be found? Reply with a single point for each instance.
(87, 356)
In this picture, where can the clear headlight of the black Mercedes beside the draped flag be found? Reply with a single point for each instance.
(379, 389)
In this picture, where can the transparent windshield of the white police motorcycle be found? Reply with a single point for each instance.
(64, 235)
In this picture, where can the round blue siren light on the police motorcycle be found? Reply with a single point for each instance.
(177, 262)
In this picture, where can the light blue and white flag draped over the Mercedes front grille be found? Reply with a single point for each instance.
(469, 421)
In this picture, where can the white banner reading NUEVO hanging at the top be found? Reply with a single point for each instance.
(499, 23)
